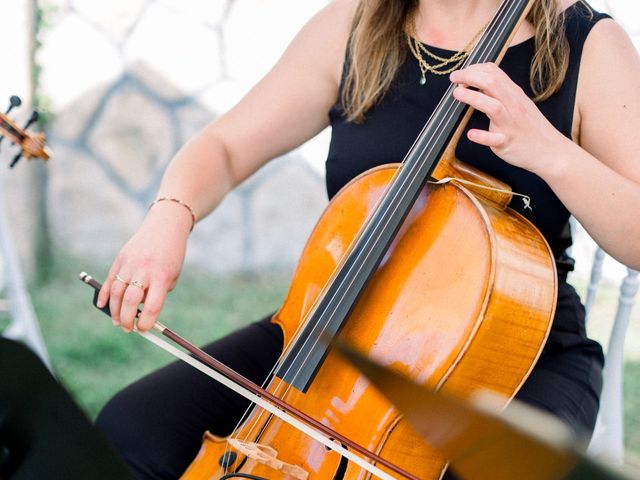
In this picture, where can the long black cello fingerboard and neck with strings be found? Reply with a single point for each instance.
(306, 353)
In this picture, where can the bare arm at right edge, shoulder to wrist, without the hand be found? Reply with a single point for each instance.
(600, 182)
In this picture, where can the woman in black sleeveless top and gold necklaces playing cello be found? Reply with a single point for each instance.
(547, 122)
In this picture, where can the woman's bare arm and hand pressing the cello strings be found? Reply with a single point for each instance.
(598, 178)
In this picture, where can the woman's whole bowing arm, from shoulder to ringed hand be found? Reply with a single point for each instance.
(287, 107)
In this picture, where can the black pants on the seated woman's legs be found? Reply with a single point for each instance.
(157, 423)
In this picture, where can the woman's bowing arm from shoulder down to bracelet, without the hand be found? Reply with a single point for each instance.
(286, 108)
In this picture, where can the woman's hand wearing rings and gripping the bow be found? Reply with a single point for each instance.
(147, 267)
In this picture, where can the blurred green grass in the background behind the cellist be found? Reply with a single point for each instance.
(94, 359)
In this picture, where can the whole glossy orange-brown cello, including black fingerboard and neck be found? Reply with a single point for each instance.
(443, 283)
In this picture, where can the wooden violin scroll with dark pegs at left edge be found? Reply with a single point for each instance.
(31, 145)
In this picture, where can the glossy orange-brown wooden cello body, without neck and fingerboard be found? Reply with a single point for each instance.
(462, 301)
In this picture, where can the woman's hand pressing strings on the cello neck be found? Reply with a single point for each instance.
(518, 132)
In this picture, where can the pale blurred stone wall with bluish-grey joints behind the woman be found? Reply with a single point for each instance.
(129, 82)
